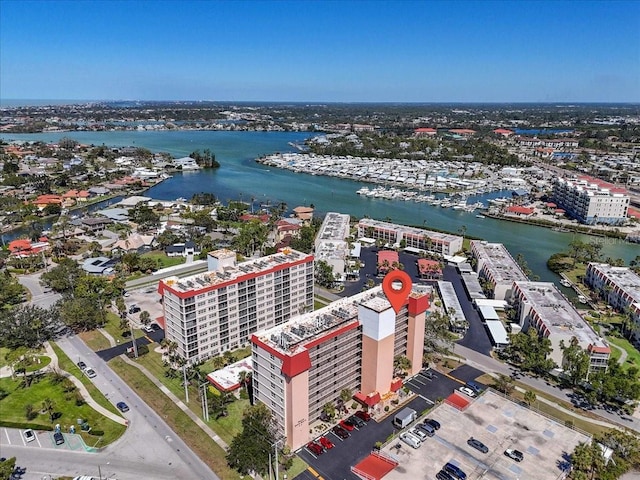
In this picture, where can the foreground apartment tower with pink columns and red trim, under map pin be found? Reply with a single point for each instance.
(305, 363)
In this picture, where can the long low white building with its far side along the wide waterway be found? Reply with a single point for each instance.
(441, 243)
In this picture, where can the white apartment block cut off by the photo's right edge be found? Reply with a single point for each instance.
(621, 288)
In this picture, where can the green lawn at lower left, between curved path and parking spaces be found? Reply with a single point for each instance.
(13, 408)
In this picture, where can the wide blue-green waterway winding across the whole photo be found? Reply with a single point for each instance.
(240, 177)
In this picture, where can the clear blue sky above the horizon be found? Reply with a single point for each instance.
(321, 51)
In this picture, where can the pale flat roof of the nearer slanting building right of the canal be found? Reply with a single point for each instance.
(558, 314)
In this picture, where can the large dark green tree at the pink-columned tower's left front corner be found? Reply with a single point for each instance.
(249, 451)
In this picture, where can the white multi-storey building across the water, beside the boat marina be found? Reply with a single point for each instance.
(591, 201)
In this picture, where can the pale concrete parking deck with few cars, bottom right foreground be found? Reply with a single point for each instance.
(498, 423)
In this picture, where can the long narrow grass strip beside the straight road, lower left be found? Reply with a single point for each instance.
(209, 451)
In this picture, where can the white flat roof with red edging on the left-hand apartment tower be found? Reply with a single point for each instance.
(201, 281)
